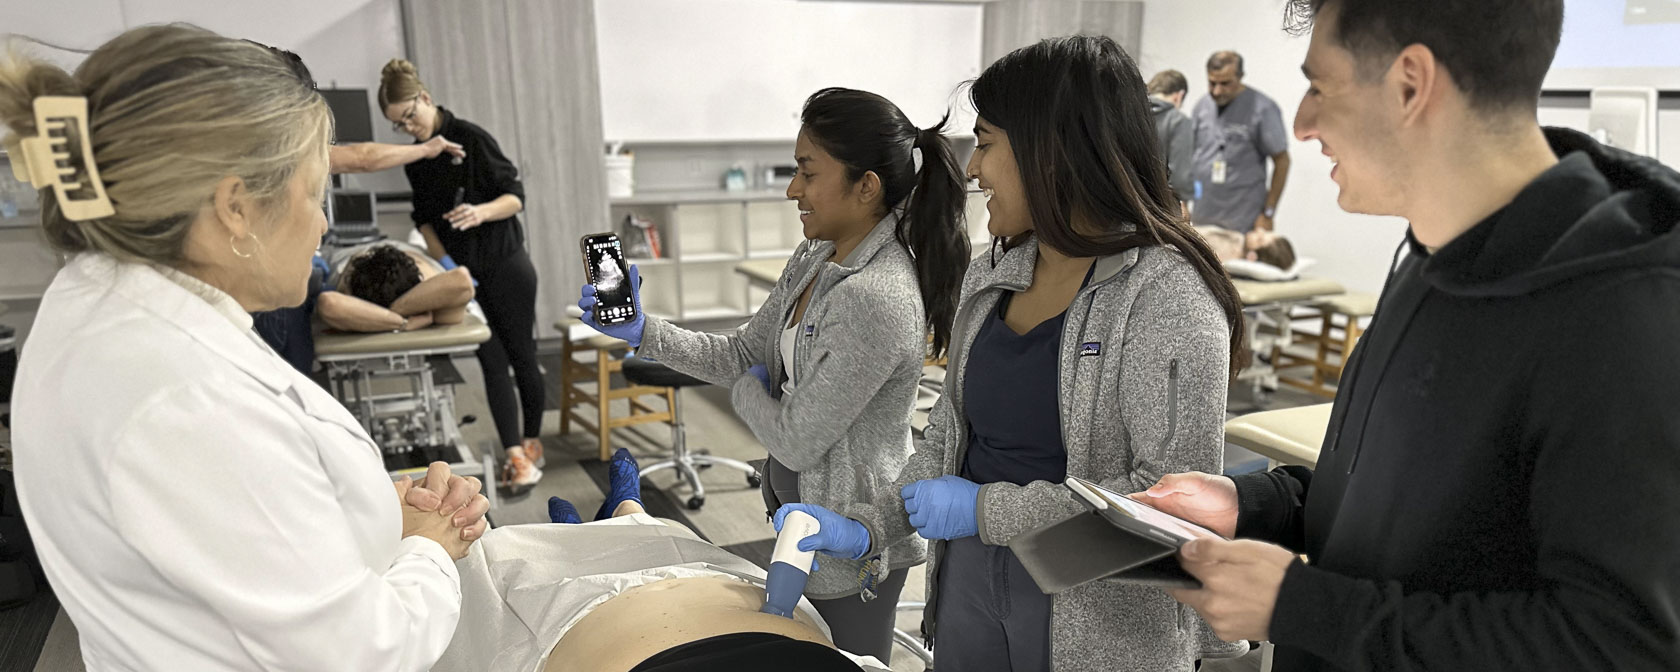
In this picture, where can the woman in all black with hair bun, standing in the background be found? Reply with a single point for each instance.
(468, 211)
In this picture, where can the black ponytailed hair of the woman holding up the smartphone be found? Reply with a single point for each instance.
(871, 135)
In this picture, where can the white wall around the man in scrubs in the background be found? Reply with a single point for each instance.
(1182, 34)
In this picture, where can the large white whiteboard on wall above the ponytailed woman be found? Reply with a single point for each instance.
(740, 70)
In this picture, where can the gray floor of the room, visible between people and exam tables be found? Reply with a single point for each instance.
(733, 515)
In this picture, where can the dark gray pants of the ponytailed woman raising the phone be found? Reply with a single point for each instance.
(859, 627)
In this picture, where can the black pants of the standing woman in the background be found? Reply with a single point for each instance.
(508, 297)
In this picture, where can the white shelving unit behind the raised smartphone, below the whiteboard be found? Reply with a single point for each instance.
(703, 238)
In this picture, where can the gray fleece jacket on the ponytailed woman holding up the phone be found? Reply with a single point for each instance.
(858, 360)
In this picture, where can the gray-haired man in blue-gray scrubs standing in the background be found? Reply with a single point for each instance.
(1237, 130)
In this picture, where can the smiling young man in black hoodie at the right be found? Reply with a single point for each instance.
(1499, 486)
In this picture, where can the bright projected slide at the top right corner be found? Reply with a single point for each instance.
(1619, 43)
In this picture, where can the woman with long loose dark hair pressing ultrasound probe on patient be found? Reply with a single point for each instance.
(1098, 344)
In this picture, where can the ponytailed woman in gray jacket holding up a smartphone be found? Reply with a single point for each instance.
(826, 374)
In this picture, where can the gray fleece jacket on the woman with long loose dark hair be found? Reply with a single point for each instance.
(1143, 379)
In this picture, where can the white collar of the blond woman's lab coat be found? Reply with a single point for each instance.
(201, 312)
